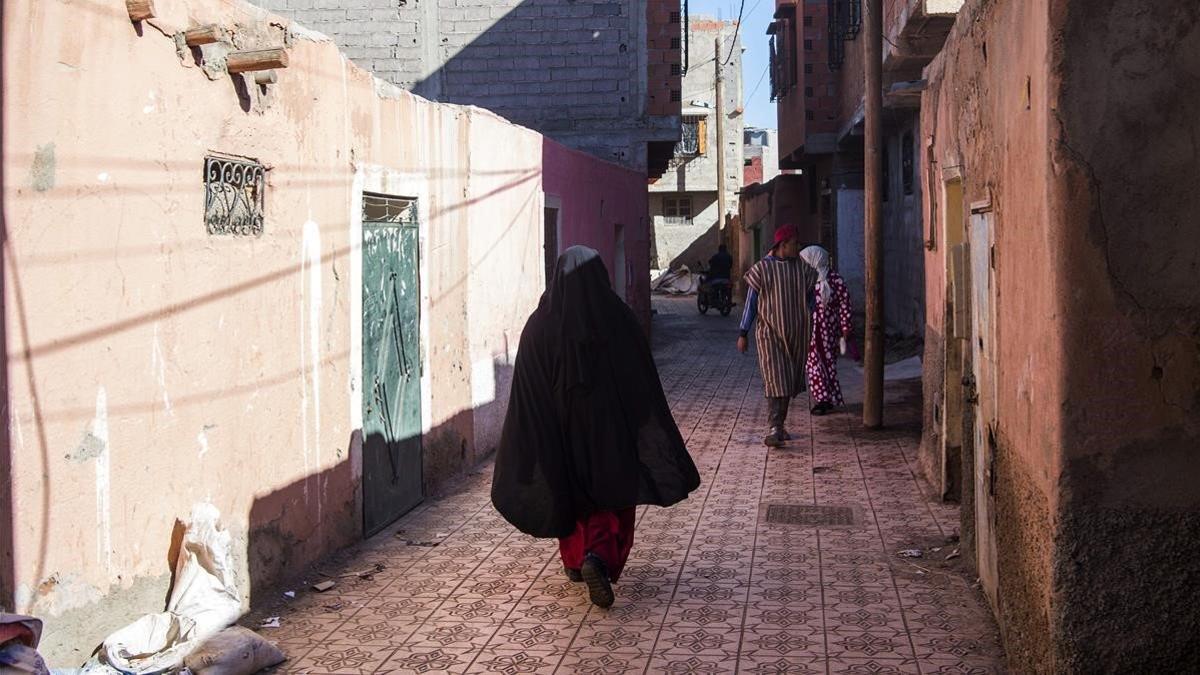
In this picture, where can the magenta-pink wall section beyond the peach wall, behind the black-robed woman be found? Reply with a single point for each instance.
(597, 198)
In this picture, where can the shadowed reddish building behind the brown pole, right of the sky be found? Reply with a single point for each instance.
(818, 83)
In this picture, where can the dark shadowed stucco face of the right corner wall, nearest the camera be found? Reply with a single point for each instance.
(1127, 123)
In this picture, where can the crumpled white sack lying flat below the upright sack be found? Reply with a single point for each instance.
(157, 643)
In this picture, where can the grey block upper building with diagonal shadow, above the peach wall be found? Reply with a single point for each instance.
(602, 76)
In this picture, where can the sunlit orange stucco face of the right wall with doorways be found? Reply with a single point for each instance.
(982, 129)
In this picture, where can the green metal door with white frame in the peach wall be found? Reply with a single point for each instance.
(392, 365)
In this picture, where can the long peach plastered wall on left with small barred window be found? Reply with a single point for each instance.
(153, 367)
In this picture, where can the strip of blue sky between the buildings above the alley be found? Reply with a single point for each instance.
(758, 15)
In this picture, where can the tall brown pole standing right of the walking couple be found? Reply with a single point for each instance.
(873, 354)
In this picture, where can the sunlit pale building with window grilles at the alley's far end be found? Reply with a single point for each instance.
(685, 207)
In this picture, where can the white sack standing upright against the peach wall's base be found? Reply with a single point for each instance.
(206, 588)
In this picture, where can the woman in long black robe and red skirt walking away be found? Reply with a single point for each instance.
(589, 434)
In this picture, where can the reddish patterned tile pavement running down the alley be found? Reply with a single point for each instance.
(711, 587)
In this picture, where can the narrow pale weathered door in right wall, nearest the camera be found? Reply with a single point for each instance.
(982, 393)
